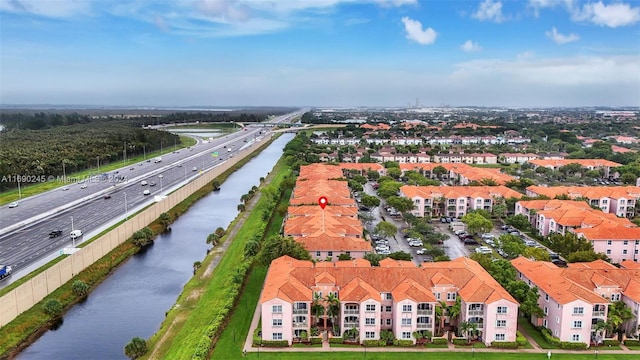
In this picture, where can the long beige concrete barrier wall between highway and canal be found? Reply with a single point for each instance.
(37, 288)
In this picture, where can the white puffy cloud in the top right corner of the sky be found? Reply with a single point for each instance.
(613, 15)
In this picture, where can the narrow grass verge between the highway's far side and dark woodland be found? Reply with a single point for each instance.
(38, 188)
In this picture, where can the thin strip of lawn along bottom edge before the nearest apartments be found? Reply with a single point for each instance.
(422, 355)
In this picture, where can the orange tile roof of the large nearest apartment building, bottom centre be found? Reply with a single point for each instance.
(401, 278)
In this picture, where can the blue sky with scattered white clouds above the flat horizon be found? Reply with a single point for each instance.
(320, 52)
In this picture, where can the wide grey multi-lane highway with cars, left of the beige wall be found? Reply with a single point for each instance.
(89, 209)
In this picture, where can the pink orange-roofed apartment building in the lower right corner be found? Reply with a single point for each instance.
(576, 299)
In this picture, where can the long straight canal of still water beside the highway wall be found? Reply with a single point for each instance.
(134, 299)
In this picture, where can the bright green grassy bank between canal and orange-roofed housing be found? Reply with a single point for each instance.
(204, 300)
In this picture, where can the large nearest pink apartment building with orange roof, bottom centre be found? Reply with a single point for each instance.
(397, 295)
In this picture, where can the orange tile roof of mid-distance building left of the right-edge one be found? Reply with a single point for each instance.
(453, 192)
